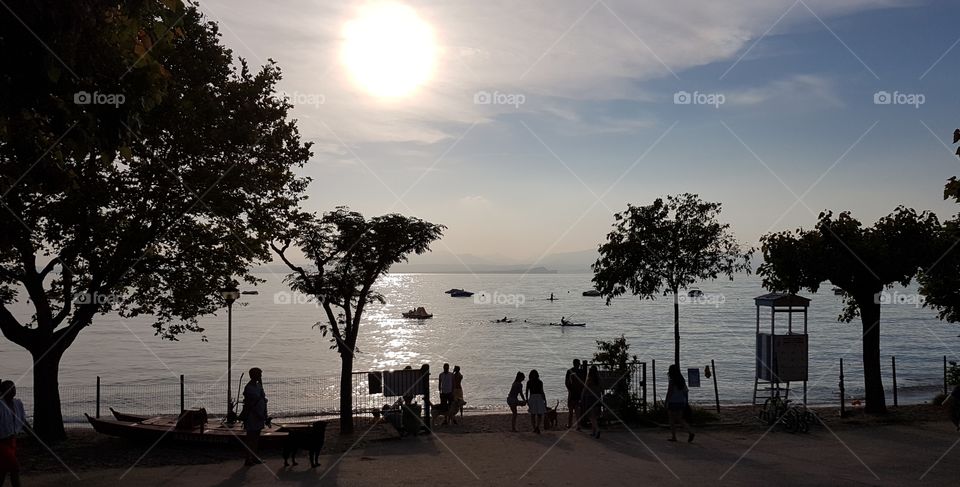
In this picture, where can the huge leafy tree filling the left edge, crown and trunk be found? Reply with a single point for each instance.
(140, 169)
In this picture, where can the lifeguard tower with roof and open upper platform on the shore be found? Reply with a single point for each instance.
(781, 359)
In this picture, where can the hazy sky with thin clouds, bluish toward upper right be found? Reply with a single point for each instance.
(588, 111)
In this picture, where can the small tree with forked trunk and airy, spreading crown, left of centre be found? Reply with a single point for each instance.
(347, 255)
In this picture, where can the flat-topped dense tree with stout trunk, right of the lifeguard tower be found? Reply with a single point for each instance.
(862, 261)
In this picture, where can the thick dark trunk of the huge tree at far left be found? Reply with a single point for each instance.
(47, 417)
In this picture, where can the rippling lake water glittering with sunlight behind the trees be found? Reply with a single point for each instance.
(273, 330)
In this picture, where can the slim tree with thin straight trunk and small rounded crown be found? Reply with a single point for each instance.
(665, 247)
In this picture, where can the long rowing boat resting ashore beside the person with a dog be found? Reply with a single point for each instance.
(190, 426)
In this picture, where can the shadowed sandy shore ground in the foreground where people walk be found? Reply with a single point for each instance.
(913, 445)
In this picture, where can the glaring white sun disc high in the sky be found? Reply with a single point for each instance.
(388, 50)
